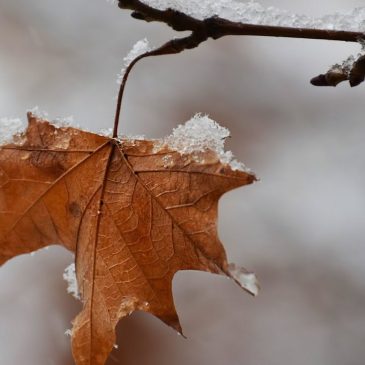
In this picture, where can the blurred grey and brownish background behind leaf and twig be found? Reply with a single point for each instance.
(301, 229)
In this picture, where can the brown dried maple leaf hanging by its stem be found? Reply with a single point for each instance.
(134, 215)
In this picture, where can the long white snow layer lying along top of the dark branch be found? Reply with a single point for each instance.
(253, 12)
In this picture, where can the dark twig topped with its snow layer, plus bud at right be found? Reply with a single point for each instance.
(219, 18)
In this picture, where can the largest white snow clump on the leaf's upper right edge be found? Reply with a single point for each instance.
(200, 134)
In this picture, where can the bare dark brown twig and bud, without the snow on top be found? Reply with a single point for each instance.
(216, 27)
